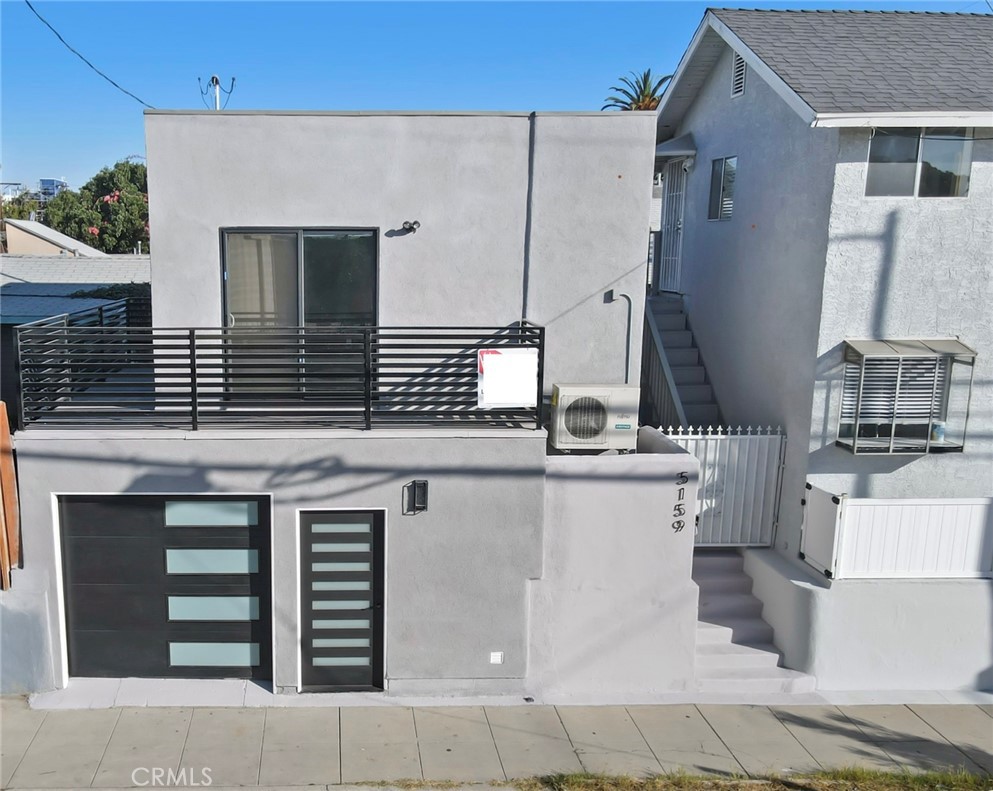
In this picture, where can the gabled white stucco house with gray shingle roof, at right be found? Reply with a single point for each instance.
(827, 251)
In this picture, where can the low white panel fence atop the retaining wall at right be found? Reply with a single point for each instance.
(852, 538)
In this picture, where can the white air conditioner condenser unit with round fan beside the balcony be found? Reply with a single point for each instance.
(595, 417)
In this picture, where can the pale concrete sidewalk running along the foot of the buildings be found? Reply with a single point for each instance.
(287, 747)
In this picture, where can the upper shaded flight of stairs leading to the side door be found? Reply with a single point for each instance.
(688, 371)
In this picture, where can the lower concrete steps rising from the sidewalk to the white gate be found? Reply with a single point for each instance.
(734, 648)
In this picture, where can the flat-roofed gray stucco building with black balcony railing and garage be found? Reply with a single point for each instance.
(293, 475)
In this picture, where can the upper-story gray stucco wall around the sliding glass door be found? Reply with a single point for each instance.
(465, 178)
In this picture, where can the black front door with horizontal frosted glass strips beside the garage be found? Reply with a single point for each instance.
(341, 629)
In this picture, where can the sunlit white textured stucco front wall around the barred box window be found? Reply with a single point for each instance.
(906, 268)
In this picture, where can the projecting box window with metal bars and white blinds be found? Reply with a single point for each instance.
(904, 402)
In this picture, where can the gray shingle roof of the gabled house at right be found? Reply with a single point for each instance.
(874, 61)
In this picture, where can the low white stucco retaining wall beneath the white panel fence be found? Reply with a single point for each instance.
(877, 634)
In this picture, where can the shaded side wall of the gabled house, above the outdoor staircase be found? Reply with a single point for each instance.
(753, 283)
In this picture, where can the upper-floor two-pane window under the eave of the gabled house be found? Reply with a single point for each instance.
(923, 163)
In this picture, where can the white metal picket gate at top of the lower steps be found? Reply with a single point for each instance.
(740, 480)
